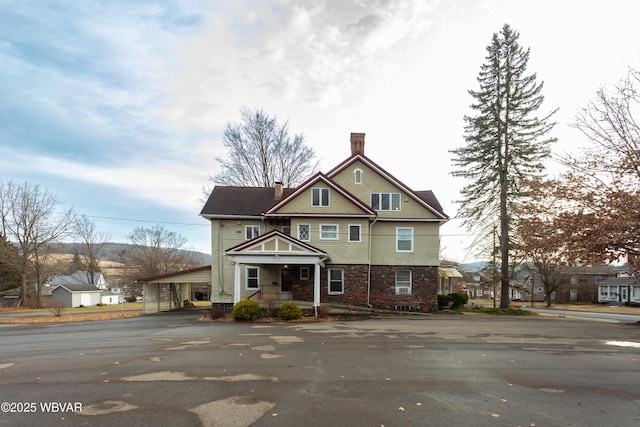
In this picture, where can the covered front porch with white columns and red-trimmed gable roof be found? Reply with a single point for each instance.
(276, 267)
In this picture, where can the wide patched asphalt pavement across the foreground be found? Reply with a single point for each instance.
(170, 369)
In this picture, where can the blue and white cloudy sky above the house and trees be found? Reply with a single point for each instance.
(118, 107)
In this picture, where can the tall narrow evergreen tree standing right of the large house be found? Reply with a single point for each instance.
(505, 143)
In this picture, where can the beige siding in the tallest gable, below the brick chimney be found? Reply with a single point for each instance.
(374, 183)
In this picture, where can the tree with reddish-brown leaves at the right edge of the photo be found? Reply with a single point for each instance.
(606, 175)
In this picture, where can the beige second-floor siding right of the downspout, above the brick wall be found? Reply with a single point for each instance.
(426, 244)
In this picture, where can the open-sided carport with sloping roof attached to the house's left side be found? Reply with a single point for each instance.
(169, 291)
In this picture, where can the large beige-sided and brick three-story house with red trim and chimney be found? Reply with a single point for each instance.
(354, 235)
